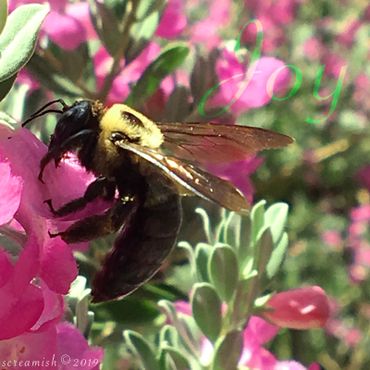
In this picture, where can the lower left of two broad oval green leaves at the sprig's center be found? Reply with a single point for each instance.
(206, 307)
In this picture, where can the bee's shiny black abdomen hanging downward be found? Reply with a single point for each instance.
(140, 248)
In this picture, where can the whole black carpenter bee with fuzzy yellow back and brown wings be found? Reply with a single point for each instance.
(143, 168)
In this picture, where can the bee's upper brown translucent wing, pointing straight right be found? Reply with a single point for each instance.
(212, 143)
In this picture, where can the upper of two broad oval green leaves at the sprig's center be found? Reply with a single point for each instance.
(224, 271)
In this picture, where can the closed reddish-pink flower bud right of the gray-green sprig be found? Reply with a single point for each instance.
(301, 308)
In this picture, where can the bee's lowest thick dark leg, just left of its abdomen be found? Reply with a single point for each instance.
(98, 226)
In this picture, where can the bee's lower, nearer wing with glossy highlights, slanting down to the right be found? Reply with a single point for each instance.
(192, 178)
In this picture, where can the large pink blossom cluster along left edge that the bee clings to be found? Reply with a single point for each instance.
(36, 271)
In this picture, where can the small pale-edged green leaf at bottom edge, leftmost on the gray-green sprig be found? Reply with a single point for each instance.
(142, 348)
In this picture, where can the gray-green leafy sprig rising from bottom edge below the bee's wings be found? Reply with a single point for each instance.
(230, 274)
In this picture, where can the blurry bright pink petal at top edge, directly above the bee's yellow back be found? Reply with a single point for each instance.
(173, 21)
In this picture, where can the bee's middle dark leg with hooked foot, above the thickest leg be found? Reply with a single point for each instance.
(101, 187)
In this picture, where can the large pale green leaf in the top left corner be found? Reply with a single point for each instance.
(19, 36)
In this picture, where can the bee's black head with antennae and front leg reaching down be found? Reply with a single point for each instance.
(77, 125)
